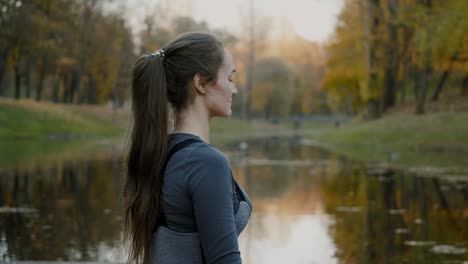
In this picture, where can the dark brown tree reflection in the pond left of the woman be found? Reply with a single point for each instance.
(74, 211)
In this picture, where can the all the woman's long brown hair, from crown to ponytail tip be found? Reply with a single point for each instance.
(159, 80)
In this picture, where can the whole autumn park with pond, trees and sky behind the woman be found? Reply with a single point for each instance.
(349, 130)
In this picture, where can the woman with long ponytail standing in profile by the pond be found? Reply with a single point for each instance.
(182, 204)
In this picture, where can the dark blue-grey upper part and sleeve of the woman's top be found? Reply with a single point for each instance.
(199, 196)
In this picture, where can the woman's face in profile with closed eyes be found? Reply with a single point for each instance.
(219, 94)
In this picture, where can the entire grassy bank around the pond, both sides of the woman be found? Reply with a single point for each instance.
(30, 130)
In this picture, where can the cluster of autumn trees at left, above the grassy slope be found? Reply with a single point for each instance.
(66, 51)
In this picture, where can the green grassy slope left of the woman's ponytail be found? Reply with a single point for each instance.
(32, 132)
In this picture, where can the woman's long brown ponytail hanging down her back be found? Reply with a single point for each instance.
(148, 150)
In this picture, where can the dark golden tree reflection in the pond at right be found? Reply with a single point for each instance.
(403, 218)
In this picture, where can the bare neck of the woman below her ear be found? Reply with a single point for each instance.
(194, 120)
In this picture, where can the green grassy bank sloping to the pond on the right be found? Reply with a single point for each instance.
(436, 139)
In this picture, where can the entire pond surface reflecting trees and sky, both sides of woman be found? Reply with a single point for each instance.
(310, 207)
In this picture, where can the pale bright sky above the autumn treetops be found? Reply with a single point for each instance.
(313, 19)
